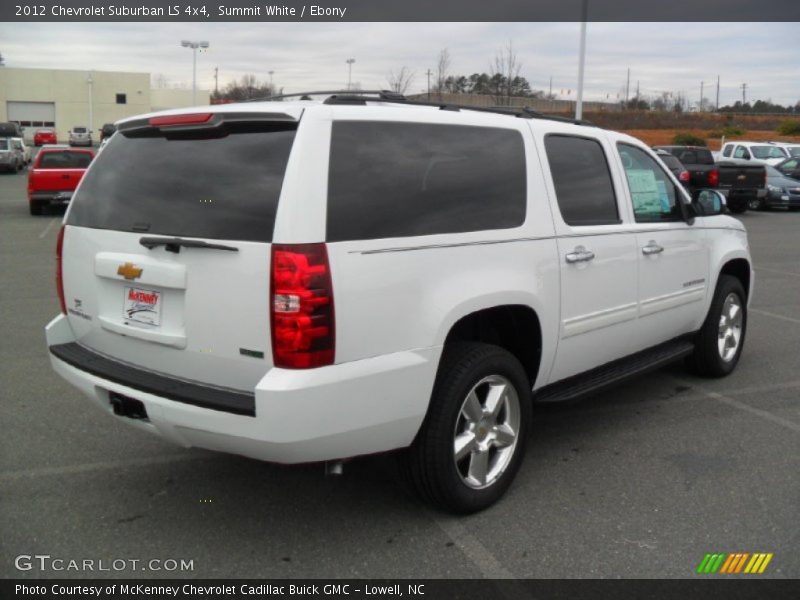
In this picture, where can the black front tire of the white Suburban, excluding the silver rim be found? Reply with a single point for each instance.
(707, 359)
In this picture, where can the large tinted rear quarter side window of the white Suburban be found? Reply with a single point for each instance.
(391, 179)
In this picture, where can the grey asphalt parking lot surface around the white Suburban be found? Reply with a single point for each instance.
(642, 481)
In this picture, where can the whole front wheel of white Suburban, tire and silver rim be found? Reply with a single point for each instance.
(719, 342)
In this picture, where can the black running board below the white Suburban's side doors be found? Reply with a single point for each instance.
(615, 372)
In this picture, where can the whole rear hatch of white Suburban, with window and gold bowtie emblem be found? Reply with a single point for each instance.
(167, 246)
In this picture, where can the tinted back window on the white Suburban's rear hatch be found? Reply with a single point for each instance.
(219, 188)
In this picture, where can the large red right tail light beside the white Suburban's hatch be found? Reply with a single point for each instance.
(302, 314)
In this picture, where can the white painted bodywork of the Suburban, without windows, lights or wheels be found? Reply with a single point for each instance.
(395, 301)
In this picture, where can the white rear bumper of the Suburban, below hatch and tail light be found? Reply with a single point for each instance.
(362, 407)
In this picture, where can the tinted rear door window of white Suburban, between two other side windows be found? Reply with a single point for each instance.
(584, 190)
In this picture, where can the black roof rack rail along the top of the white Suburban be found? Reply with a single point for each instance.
(360, 97)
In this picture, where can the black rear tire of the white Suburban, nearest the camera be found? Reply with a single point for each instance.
(430, 462)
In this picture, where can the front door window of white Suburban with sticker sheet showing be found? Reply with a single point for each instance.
(653, 194)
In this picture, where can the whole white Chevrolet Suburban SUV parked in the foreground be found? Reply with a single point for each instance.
(314, 280)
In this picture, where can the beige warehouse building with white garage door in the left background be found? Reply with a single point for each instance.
(59, 99)
